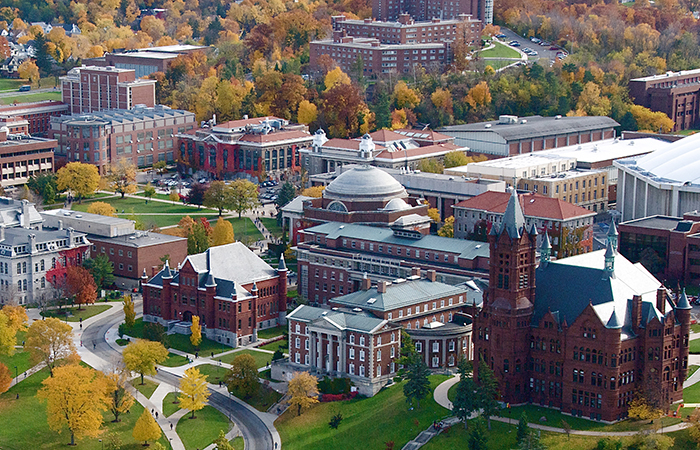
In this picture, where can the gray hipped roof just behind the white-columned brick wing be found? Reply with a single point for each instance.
(399, 295)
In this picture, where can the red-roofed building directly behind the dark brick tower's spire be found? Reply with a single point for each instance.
(570, 227)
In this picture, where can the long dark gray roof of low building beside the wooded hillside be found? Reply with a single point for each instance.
(536, 126)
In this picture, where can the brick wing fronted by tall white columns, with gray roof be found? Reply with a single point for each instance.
(360, 347)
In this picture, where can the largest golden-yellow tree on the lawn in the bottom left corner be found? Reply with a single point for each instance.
(75, 399)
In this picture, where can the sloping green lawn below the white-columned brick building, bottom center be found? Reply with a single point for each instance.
(385, 417)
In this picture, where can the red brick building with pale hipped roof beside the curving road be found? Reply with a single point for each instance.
(232, 290)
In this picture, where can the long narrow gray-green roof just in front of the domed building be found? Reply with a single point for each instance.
(465, 248)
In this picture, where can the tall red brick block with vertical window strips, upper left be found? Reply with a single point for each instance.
(92, 88)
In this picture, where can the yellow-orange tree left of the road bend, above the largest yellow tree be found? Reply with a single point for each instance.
(51, 341)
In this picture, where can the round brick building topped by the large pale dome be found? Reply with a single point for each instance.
(366, 195)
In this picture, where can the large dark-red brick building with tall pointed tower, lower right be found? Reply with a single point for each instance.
(583, 334)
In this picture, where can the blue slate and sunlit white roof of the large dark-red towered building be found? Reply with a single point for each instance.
(569, 285)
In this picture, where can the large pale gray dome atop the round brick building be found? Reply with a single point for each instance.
(365, 183)
